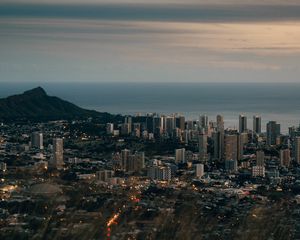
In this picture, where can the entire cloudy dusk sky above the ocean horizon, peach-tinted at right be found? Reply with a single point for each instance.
(149, 41)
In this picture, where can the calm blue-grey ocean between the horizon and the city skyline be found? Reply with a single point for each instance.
(279, 102)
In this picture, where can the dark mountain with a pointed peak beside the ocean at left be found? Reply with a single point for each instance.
(35, 104)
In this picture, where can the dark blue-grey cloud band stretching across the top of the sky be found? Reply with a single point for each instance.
(155, 12)
